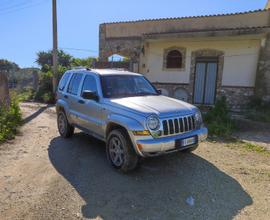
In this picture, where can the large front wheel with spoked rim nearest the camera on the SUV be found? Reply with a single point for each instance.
(120, 151)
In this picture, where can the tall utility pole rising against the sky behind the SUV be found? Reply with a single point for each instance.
(55, 45)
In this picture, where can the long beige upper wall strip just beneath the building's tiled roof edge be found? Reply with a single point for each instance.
(138, 28)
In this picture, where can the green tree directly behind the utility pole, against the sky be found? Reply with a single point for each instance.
(44, 59)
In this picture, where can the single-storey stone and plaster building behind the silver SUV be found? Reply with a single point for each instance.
(199, 58)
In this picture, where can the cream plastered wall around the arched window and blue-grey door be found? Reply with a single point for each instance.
(240, 61)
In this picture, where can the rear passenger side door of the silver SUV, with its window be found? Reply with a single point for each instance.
(72, 96)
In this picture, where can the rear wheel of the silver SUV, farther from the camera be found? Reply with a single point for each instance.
(65, 129)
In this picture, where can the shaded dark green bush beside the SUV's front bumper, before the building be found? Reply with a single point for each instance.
(218, 120)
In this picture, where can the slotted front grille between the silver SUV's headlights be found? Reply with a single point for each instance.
(178, 125)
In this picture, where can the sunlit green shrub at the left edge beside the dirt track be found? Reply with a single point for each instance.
(10, 119)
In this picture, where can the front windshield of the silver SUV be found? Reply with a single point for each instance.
(119, 86)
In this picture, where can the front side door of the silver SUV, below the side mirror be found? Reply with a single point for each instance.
(91, 109)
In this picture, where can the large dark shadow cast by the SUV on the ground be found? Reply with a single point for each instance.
(158, 190)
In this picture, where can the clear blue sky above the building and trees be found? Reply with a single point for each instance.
(26, 25)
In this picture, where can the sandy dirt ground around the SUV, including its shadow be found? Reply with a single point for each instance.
(43, 176)
